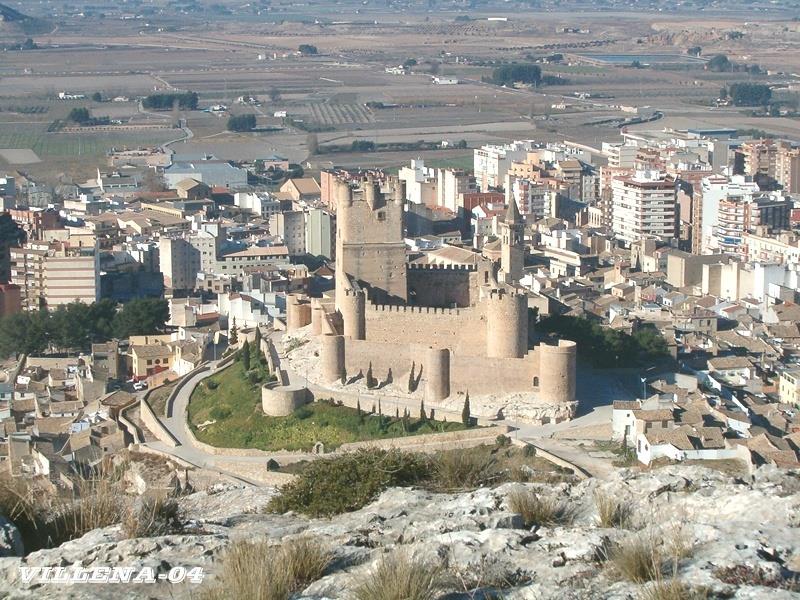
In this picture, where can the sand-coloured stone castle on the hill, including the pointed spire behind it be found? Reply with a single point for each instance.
(454, 330)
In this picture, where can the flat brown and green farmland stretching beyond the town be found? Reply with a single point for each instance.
(345, 94)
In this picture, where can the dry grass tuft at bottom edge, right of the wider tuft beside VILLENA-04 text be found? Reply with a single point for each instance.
(400, 577)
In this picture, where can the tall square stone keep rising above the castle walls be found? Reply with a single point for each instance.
(369, 240)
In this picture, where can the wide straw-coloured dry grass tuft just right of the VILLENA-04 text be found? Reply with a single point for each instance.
(258, 571)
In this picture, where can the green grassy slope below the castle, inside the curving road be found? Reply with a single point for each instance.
(241, 424)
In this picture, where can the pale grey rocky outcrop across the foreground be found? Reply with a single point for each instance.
(721, 521)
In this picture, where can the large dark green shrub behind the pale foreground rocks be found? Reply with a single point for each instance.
(344, 483)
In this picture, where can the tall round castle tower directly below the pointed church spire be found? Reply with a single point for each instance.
(506, 324)
